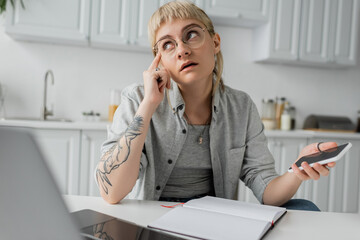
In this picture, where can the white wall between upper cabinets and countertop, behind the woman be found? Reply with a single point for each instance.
(84, 77)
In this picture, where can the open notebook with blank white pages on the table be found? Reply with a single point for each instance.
(218, 218)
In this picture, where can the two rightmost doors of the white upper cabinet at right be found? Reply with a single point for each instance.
(329, 31)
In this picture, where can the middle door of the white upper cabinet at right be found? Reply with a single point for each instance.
(315, 29)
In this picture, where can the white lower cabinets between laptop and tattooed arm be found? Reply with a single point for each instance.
(72, 156)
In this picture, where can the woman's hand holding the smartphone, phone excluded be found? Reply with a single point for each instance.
(317, 170)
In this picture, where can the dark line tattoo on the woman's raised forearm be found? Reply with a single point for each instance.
(112, 159)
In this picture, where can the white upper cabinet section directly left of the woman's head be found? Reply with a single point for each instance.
(121, 24)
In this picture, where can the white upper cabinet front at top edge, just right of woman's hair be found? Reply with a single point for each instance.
(242, 9)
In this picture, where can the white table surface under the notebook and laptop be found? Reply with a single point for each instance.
(294, 225)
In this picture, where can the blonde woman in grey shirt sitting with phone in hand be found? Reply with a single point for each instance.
(183, 134)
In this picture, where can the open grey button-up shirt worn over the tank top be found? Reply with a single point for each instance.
(238, 145)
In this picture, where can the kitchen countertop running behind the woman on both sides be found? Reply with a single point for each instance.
(102, 125)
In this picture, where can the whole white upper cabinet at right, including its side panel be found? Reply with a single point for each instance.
(309, 32)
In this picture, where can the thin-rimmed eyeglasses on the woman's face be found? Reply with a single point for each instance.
(194, 37)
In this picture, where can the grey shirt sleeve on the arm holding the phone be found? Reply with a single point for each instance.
(258, 164)
